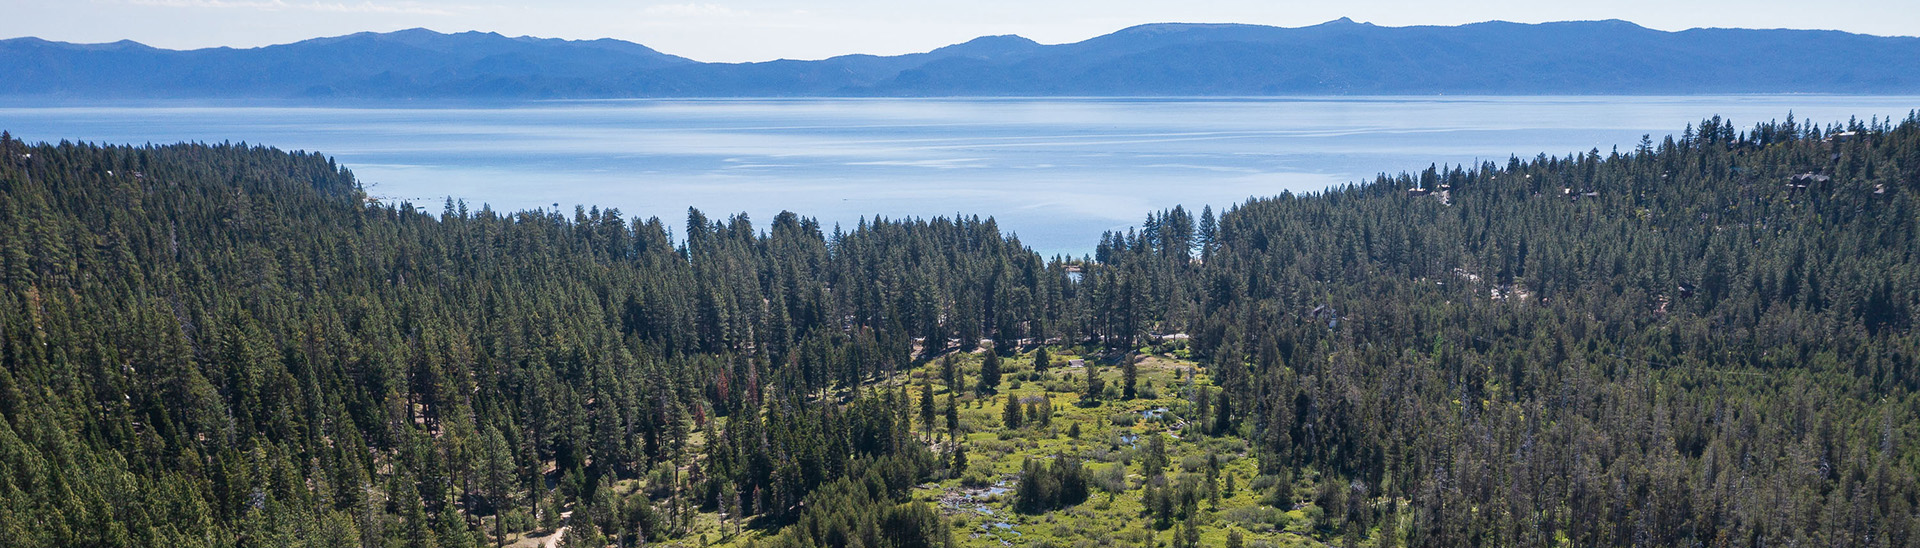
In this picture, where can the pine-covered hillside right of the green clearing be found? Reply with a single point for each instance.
(1708, 341)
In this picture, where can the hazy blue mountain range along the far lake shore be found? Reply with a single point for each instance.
(1149, 61)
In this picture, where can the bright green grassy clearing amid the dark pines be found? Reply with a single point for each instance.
(1113, 441)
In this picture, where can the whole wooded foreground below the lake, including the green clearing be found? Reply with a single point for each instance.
(1704, 341)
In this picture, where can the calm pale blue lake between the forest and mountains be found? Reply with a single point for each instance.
(1057, 172)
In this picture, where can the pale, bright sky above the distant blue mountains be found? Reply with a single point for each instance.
(771, 30)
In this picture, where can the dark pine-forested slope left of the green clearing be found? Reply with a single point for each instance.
(228, 345)
